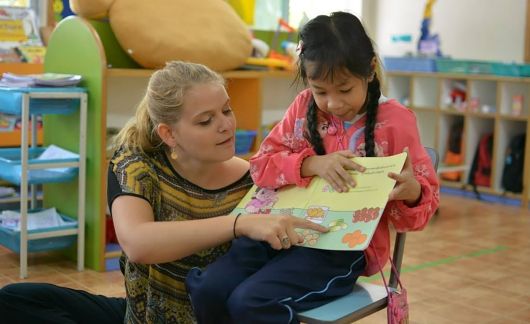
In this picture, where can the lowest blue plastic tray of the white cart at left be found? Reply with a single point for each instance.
(11, 238)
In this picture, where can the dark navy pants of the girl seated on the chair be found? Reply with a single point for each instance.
(254, 283)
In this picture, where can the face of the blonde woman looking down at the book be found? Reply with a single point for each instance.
(206, 128)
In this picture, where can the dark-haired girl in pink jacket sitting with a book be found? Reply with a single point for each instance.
(342, 114)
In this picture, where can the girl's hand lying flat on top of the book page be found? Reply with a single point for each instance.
(332, 168)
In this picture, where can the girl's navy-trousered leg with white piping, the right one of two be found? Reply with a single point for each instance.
(295, 280)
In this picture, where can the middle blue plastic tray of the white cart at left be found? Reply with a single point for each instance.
(11, 169)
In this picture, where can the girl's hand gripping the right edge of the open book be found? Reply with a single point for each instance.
(407, 188)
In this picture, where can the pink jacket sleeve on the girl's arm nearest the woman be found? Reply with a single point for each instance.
(279, 159)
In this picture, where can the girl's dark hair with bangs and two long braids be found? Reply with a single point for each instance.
(334, 43)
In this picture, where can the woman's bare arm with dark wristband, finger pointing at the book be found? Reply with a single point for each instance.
(146, 241)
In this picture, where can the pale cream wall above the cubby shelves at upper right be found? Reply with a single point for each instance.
(470, 29)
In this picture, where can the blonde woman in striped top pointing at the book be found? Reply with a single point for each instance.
(171, 183)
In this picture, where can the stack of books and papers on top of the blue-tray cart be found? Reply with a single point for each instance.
(12, 80)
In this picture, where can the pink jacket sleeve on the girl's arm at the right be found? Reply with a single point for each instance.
(403, 217)
